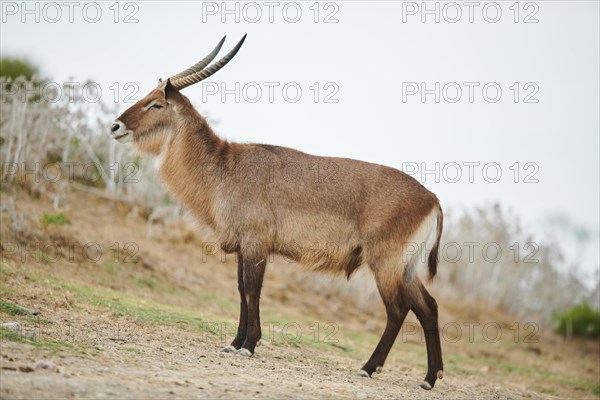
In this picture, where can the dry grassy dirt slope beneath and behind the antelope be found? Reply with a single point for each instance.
(148, 322)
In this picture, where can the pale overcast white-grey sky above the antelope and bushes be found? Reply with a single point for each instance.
(518, 86)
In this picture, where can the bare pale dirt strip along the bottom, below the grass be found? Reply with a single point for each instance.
(179, 366)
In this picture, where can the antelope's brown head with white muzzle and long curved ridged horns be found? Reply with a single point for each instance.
(150, 121)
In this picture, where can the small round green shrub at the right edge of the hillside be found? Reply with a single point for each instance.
(580, 320)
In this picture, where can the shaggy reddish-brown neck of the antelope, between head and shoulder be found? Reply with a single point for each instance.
(190, 166)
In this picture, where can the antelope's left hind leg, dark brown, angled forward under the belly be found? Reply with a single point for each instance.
(396, 308)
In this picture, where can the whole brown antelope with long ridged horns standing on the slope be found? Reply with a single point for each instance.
(327, 214)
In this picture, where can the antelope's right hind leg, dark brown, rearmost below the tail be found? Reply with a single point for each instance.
(425, 308)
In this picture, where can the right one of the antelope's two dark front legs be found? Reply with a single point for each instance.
(254, 271)
